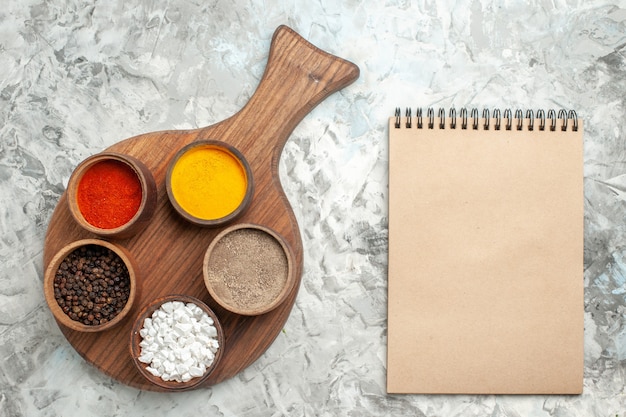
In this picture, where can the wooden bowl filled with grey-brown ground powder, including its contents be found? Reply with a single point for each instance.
(249, 269)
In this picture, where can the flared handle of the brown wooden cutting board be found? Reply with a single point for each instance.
(297, 77)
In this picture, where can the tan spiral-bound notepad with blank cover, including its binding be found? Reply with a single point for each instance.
(485, 284)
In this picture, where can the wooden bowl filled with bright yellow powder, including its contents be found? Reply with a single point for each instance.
(209, 183)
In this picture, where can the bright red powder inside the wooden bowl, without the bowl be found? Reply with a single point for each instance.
(109, 194)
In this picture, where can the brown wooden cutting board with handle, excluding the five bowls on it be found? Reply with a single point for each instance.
(169, 252)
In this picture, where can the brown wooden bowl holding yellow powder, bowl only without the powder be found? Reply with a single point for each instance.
(227, 150)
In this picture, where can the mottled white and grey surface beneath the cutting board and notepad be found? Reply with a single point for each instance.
(77, 76)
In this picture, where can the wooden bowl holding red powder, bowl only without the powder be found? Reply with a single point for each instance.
(146, 207)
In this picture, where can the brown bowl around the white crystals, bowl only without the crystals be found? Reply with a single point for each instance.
(135, 340)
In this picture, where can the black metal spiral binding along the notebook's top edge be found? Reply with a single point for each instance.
(519, 117)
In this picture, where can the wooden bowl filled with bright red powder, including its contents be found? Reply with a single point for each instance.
(112, 195)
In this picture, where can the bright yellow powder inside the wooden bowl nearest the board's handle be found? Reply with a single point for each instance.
(208, 182)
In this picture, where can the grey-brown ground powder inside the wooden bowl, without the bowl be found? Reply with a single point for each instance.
(248, 268)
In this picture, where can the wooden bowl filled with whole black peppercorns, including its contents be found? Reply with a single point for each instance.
(90, 285)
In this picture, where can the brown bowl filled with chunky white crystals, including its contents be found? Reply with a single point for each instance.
(176, 342)
